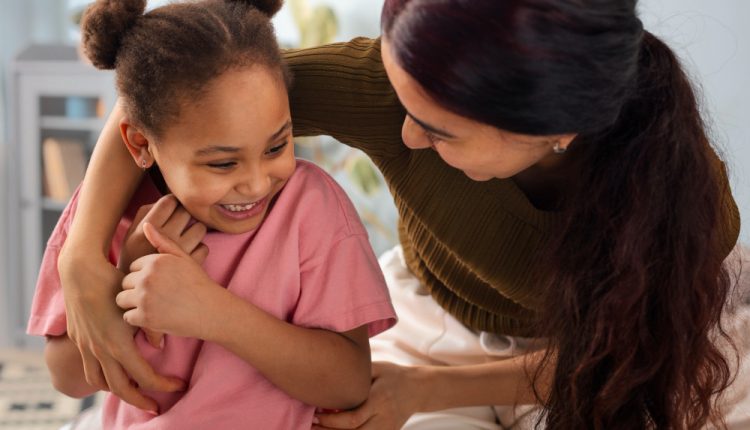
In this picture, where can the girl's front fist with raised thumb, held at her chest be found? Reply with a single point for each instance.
(167, 292)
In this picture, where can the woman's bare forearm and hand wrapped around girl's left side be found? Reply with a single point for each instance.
(90, 282)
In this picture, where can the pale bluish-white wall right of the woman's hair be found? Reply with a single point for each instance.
(713, 40)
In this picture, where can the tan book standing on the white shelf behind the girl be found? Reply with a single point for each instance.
(64, 166)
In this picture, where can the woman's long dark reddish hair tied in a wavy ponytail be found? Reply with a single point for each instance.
(634, 283)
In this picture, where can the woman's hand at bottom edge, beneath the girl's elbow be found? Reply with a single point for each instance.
(394, 397)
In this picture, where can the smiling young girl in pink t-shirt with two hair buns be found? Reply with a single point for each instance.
(278, 317)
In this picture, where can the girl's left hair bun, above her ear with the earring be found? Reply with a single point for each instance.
(103, 26)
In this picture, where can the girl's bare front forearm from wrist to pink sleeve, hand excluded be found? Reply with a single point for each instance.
(319, 367)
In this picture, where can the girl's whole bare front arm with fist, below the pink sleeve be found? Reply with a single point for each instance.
(170, 293)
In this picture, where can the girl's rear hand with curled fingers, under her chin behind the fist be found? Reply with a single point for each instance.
(171, 219)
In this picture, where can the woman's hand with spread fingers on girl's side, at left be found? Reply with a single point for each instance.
(95, 325)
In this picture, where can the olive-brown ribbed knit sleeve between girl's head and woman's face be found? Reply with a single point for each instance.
(342, 90)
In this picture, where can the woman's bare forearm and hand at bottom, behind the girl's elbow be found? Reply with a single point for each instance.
(398, 392)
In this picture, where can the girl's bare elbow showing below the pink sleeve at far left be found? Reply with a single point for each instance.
(66, 367)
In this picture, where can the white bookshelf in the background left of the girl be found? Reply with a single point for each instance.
(52, 94)
